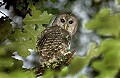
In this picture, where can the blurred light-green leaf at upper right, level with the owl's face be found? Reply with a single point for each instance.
(105, 23)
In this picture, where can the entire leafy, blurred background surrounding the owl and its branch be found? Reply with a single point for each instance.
(97, 40)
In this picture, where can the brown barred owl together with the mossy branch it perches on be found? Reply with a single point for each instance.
(53, 43)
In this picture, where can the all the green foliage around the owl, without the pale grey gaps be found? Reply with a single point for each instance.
(103, 60)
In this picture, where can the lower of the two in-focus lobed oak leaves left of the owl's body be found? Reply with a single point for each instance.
(24, 40)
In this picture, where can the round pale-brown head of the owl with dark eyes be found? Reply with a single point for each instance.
(67, 21)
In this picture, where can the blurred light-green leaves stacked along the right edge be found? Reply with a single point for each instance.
(106, 23)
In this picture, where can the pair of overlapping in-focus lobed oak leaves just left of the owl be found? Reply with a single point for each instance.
(25, 39)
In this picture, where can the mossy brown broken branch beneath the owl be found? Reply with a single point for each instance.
(40, 69)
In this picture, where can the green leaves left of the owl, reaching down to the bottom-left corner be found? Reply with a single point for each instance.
(20, 40)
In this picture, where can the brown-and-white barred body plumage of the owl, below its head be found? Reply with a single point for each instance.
(53, 43)
